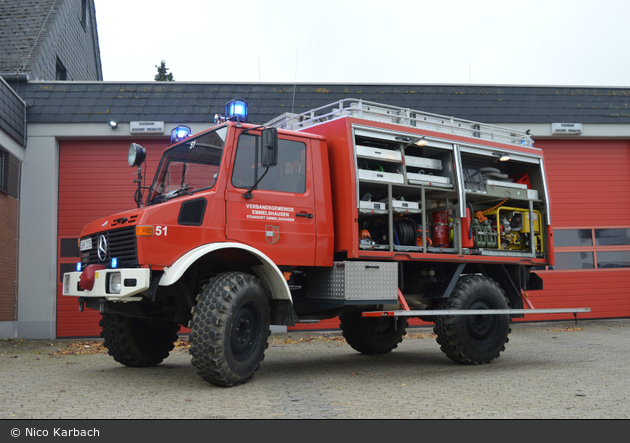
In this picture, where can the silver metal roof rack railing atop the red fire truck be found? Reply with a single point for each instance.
(401, 116)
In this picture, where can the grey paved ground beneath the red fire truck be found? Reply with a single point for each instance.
(549, 370)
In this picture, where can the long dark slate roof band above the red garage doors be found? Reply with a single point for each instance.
(180, 102)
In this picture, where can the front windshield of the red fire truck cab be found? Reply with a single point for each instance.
(189, 167)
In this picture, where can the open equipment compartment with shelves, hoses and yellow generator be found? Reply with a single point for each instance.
(427, 195)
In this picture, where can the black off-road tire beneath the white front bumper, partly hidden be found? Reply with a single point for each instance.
(138, 342)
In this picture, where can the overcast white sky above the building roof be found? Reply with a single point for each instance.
(523, 42)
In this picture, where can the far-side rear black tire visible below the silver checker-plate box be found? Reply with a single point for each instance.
(372, 335)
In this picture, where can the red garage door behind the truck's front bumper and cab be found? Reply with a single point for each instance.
(95, 181)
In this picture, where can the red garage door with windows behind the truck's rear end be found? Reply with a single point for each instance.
(589, 185)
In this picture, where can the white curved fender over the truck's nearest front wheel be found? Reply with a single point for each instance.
(270, 275)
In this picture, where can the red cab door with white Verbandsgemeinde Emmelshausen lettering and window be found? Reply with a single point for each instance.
(278, 216)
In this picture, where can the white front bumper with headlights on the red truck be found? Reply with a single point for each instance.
(132, 281)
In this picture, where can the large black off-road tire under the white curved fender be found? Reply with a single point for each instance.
(229, 329)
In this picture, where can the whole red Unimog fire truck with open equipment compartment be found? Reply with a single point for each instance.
(361, 211)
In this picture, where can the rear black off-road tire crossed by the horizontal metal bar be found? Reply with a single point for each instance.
(474, 339)
